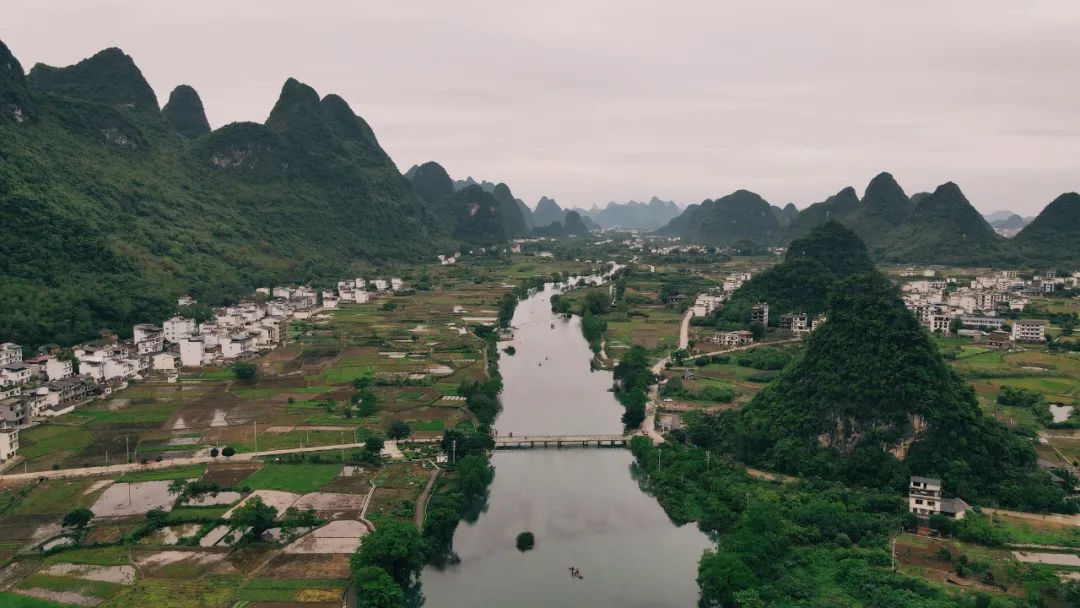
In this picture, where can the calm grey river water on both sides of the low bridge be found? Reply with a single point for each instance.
(584, 505)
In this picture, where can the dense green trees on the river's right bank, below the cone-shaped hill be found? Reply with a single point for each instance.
(811, 544)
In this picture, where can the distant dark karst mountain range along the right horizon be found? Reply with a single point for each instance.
(939, 227)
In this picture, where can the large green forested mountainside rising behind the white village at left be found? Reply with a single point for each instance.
(112, 208)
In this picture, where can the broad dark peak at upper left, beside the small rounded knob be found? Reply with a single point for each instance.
(110, 77)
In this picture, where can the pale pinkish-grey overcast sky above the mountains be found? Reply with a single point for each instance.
(596, 101)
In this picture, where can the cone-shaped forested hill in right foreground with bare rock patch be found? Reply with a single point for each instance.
(871, 402)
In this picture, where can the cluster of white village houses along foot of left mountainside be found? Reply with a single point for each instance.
(51, 385)
